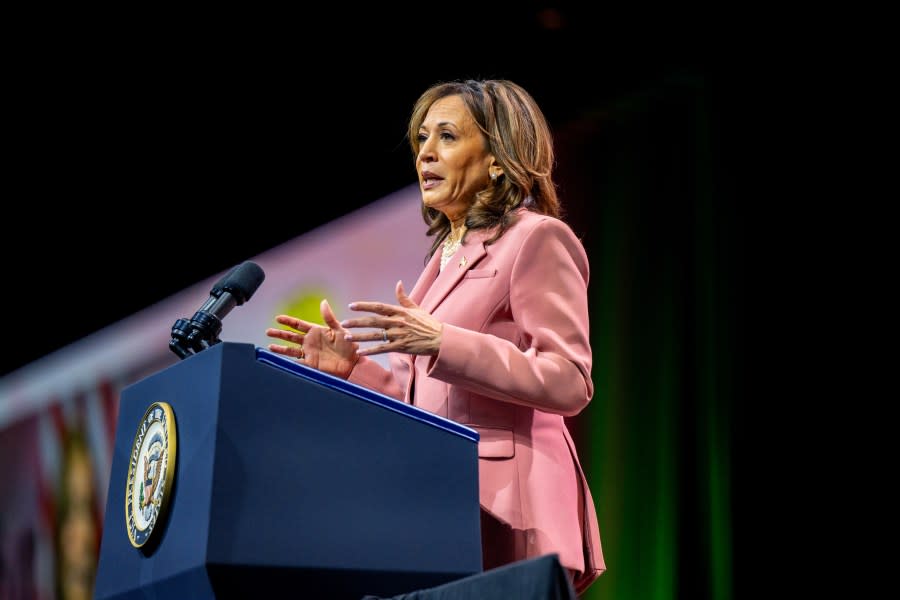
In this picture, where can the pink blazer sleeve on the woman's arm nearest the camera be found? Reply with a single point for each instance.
(549, 366)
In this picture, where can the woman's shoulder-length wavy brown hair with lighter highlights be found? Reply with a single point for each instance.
(517, 134)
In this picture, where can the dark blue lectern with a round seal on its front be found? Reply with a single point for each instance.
(286, 482)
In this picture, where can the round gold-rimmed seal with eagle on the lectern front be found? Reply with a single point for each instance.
(151, 471)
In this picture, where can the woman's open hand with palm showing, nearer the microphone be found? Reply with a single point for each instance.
(319, 347)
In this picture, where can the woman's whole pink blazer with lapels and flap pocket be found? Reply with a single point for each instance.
(515, 359)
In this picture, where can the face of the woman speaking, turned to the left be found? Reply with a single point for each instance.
(453, 158)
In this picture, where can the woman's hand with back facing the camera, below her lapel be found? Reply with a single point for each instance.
(403, 328)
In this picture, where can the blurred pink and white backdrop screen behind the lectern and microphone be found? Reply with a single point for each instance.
(58, 414)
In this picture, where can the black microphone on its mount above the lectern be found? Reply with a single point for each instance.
(201, 331)
